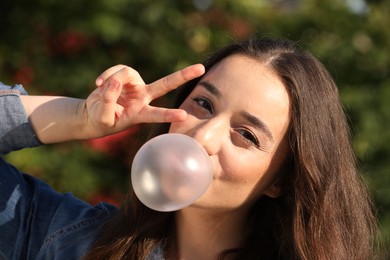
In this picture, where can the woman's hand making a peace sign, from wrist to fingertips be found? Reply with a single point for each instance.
(122, 99)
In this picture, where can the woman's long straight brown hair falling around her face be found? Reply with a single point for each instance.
(324, 211)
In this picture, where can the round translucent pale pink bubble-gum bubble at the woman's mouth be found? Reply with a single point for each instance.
(170, 172)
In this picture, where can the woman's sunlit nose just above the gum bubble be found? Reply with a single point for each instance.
(210, 134)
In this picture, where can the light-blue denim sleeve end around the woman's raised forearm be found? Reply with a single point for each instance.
(16, 131)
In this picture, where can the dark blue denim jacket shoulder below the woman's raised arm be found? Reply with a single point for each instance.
(36, 219)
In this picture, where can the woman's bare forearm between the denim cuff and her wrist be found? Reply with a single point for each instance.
(55, 119)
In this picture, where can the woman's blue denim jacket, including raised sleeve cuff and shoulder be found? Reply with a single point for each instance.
(37, 222)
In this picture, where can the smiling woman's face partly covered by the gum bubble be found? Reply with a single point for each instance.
(239, 112)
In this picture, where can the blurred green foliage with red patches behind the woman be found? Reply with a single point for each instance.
(60, 47)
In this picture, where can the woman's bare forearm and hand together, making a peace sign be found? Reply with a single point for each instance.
(121, 100)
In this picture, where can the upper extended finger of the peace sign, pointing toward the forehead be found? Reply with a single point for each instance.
(174, 80)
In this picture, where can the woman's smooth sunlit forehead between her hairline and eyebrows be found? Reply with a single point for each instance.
(247, 85)
